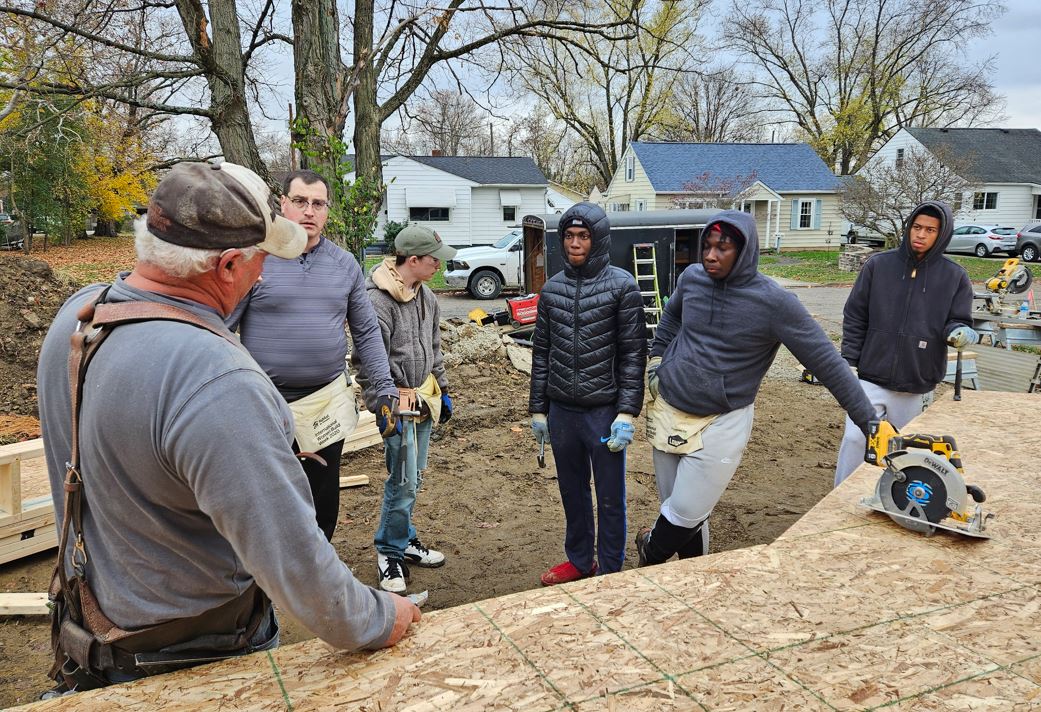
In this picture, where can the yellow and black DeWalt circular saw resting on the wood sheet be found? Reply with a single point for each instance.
(923, 487)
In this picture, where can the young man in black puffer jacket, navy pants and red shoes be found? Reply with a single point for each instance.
(587, 388)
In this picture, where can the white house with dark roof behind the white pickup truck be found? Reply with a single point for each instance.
(468, 200)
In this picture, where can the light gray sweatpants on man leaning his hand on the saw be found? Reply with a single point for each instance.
(691, 486)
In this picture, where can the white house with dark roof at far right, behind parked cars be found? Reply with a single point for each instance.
(1006, 166)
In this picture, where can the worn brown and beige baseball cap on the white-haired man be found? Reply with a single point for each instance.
(216, 207)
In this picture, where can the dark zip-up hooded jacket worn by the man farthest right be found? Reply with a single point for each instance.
(902, 310)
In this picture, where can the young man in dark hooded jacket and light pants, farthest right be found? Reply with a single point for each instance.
(907, 306)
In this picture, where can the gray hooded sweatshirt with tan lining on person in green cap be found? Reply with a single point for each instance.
(411, 323)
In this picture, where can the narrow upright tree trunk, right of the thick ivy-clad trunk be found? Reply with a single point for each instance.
(367, 111)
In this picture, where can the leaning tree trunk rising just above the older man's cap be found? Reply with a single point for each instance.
(222, 59)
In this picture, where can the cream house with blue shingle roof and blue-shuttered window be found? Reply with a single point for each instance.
(792, 193)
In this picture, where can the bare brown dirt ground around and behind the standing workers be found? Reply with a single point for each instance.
(485, 502)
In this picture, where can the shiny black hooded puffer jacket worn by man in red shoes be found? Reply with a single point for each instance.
(591, 341)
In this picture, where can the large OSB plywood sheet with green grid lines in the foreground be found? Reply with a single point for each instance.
(847, 612)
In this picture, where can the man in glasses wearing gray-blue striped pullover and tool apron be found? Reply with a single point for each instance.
(293, 324)
